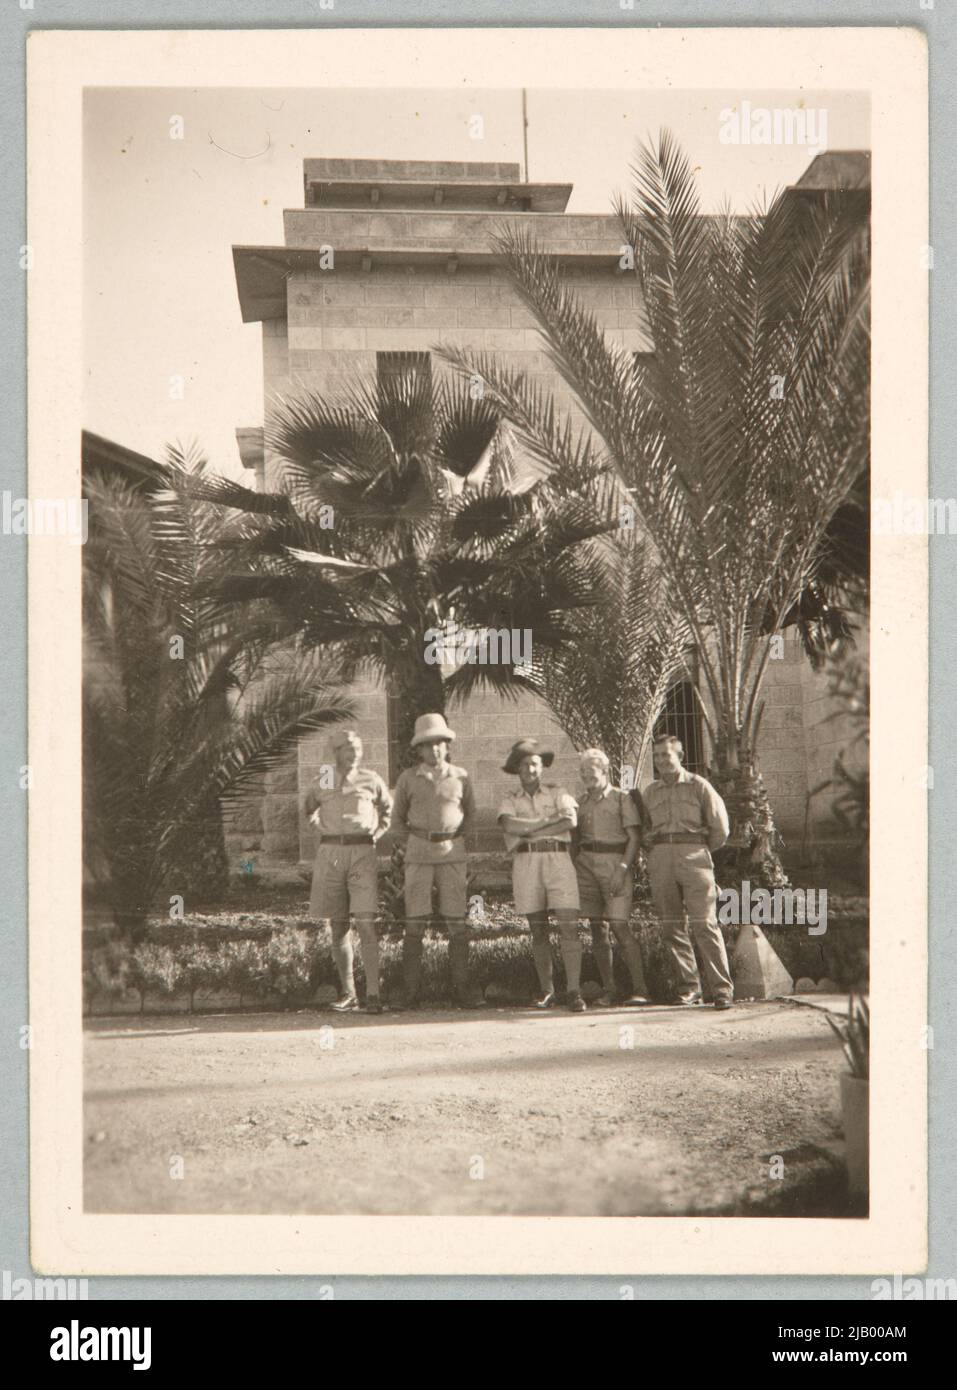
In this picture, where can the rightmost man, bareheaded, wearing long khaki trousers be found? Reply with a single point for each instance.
(686, 819)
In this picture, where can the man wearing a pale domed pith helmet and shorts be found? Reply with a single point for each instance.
(435, 811)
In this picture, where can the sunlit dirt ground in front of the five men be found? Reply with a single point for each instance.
(469, 1114)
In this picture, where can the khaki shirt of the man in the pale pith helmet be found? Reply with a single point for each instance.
(435, 799)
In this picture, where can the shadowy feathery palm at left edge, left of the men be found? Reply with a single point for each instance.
(184, 705)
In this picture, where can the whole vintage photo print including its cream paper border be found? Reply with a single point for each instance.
(460, 839)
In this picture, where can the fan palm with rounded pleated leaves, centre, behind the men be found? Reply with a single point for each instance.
(408, 507)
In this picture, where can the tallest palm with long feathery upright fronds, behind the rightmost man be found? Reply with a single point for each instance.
(739, 440)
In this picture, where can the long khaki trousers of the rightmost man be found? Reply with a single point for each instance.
(685, 896)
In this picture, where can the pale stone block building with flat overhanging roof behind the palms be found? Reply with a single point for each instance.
(386, 261)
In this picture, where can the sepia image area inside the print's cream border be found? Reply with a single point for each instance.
(476, 653)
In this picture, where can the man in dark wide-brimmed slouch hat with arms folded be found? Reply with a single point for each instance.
(538, 821)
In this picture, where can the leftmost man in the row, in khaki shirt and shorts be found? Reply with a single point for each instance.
(350, 817)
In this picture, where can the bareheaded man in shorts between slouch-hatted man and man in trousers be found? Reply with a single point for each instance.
(607, 847)
